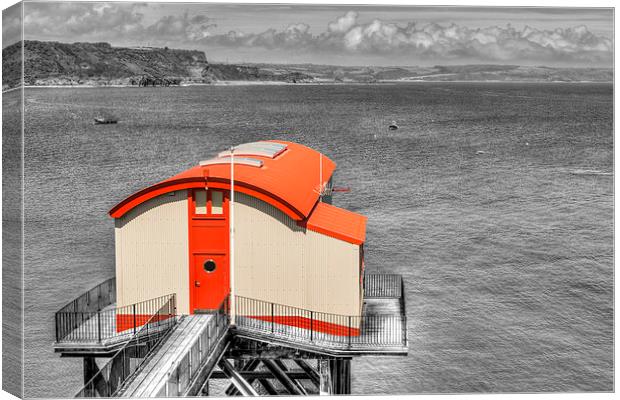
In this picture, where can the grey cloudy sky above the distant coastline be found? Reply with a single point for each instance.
(341, 35)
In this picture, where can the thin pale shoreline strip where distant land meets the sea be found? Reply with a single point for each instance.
(316, 83)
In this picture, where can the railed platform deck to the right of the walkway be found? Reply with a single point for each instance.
(381, 330)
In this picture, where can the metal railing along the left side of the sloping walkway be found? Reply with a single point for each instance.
(132, 355)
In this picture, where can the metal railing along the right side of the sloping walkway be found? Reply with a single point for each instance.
(189, 366)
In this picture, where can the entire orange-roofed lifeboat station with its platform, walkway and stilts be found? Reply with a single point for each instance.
(238, 269)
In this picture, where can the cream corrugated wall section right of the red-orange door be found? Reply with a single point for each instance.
(280, 262)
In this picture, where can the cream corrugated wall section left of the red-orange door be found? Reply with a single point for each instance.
(152, 251)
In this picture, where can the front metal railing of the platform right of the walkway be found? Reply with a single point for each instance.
(325, 329)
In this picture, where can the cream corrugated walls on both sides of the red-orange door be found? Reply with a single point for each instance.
(275, 260)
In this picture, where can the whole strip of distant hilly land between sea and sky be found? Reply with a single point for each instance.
(54, 63)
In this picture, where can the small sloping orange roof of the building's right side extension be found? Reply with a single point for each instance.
(338, 223)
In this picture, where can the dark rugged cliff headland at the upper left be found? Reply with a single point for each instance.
(54, 63)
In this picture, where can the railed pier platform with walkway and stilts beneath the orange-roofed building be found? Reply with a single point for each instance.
(169, 355)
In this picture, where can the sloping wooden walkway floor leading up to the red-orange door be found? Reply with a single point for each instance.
(150, 380)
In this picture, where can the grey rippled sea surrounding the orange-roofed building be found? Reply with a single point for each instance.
(495, 202)
